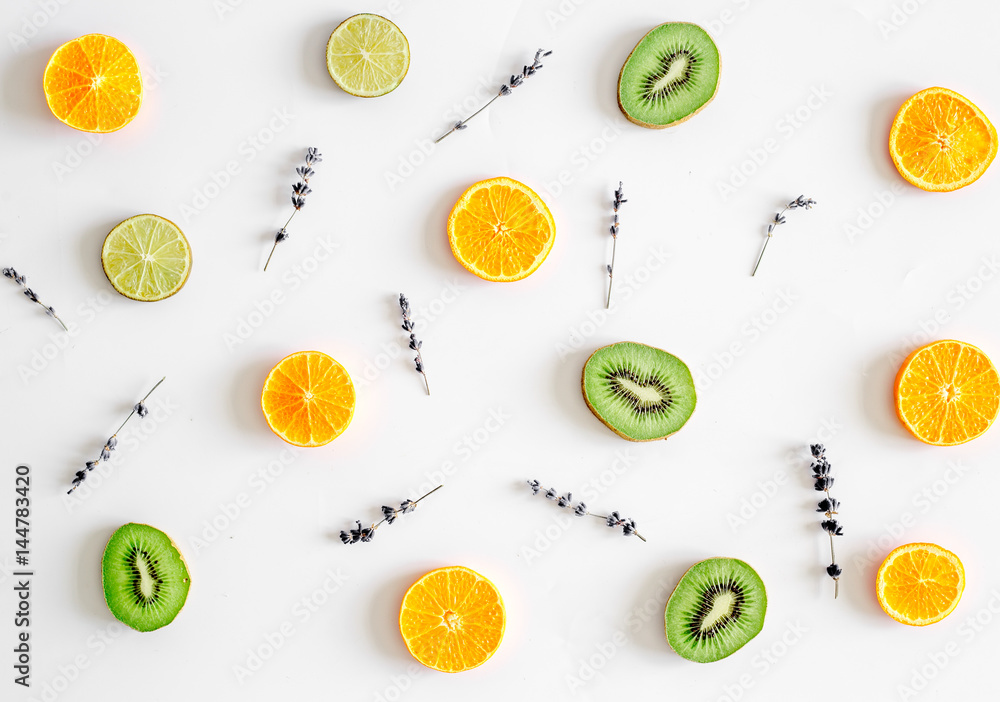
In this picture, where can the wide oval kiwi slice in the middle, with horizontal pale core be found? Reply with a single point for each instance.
(640, 392)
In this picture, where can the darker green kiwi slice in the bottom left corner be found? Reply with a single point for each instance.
(145, 578)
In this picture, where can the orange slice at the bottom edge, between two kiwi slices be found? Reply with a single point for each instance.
(452, 619)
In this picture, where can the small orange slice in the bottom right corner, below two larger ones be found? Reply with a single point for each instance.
(919, 584)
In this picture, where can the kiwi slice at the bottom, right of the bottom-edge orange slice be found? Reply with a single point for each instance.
(716, 608)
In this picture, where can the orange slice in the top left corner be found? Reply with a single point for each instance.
(93, 84)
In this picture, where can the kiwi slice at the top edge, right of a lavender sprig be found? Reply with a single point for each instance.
(669, 77)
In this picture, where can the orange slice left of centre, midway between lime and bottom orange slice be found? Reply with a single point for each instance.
(308, 399)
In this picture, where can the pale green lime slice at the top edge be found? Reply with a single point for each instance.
(367, 55)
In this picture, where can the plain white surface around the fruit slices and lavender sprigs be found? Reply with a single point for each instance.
(876, 269)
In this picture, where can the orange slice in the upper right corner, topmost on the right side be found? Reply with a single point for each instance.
(940, 141)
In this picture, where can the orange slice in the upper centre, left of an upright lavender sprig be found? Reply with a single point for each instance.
(501, 230)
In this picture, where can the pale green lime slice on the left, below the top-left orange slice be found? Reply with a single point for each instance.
(146, 258)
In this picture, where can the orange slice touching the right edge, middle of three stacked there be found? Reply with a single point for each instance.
(947, 393)
